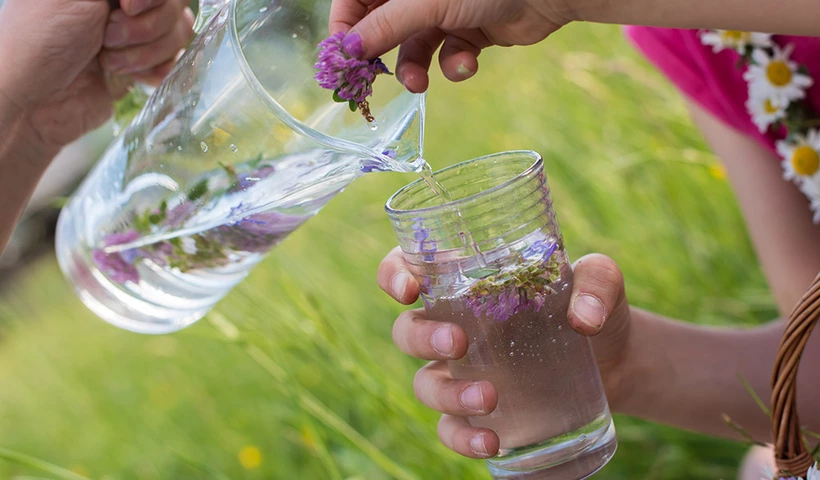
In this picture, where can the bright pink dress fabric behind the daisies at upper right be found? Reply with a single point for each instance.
(713, 80)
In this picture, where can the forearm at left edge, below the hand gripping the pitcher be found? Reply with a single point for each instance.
(22, 163)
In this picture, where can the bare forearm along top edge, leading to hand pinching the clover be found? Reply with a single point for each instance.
(794, 17)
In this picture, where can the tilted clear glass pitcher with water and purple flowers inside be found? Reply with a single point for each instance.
(236, 149)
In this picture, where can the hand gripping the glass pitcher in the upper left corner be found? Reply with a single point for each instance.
(58, 53)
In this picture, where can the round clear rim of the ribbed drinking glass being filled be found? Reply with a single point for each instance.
(536, 165)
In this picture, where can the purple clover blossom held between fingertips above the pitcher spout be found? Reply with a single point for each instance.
(339, 68)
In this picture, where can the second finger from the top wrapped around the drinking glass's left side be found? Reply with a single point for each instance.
(419, 337)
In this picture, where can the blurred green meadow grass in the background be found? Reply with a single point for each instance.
(298, 360)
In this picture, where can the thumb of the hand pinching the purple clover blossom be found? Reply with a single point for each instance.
(389, 25)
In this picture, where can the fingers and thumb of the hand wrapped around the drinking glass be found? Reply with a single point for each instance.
(596, 278)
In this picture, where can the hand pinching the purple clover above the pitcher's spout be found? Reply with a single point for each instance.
(465, 27)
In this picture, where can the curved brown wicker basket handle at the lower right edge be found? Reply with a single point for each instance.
(790, 451)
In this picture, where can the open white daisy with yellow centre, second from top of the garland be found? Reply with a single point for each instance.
(776, 77)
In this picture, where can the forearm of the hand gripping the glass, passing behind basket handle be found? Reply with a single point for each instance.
(688, 375)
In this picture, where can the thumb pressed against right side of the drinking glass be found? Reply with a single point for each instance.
(598, 295)
